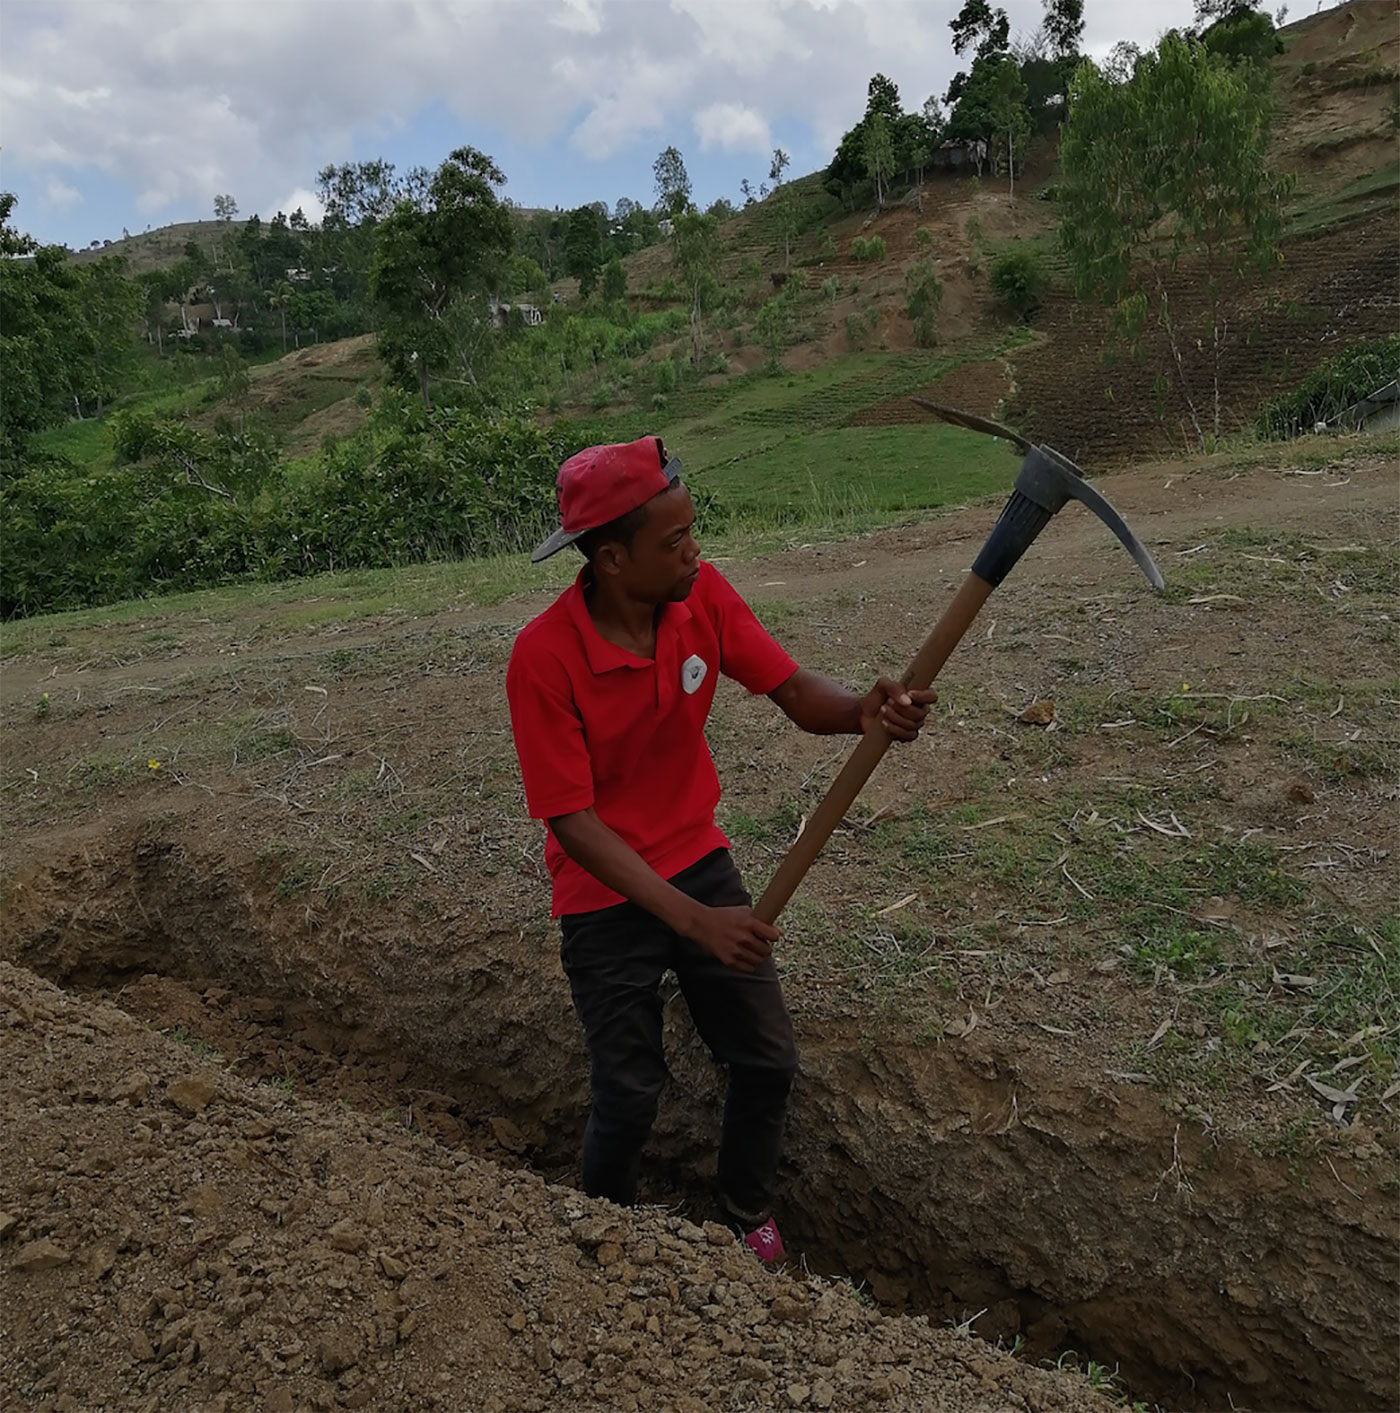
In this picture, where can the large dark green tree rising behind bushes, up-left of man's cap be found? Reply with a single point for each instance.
(433, 269)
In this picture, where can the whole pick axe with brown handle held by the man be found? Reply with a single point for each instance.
(1045, 484)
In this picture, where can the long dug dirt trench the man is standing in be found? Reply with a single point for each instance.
(1070, 1210)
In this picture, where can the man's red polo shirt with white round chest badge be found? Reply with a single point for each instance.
(597, 726)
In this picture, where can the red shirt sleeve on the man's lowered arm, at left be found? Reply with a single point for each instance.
(549, 731)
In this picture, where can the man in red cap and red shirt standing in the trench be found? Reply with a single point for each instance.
(610, 690)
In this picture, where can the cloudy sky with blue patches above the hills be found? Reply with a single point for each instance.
(135, 114)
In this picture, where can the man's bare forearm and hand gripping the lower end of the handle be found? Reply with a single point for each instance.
(732, 935)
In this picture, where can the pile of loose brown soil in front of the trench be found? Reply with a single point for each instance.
(174, 1237)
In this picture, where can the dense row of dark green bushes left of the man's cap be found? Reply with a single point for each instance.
(201, 511)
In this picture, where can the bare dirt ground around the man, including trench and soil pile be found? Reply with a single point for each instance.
(1098, 1015)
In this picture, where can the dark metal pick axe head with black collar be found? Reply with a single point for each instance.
(1045, 484)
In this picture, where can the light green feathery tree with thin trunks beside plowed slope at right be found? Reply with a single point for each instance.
(1159, 169)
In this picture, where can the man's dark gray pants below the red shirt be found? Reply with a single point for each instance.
(615, 959)
